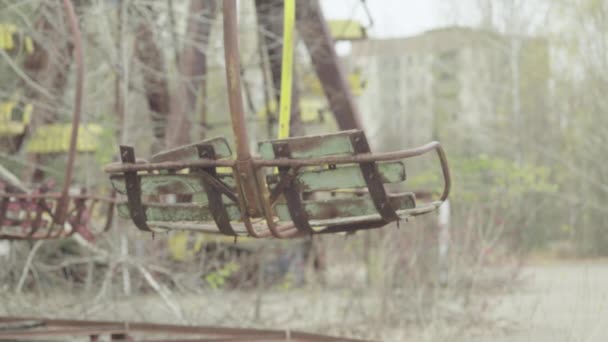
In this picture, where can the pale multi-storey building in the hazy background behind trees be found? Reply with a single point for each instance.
(447, 82)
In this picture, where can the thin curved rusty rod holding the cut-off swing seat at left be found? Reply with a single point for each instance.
(73, 23)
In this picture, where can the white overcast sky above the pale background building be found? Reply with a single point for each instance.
(395, 18)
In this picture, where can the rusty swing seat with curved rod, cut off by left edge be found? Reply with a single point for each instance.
(39, 214)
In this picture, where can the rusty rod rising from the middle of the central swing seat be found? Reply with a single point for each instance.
(233, 78)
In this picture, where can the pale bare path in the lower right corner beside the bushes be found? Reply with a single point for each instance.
(561, 302)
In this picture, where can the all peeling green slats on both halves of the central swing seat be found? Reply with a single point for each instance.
(313, 198)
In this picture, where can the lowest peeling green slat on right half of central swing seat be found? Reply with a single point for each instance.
(338, 208)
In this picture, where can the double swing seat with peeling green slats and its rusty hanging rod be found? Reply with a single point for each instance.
(283, 193)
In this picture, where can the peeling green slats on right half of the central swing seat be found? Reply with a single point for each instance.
(358, 193)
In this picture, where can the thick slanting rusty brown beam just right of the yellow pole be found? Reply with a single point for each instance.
(313, 29)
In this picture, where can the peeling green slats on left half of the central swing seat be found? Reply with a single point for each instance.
(182, 197)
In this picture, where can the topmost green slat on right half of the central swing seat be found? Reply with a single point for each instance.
(311, 146)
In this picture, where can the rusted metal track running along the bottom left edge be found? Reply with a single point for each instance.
(27, 328)
